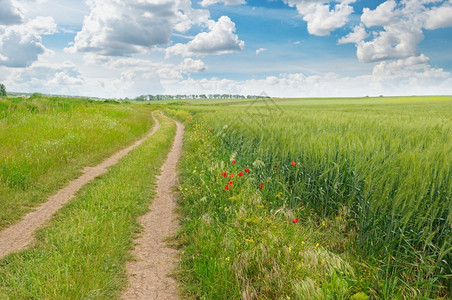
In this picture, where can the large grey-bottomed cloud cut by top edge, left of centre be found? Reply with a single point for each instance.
(122, 28)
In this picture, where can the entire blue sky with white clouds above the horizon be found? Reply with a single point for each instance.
(285, 48)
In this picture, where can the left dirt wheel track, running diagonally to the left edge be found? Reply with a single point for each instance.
(20, 235)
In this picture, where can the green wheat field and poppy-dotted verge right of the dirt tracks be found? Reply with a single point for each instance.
(372, 186)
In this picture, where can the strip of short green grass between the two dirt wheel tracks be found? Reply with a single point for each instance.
(82, 252)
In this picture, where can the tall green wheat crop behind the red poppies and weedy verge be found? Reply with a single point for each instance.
(386, 168)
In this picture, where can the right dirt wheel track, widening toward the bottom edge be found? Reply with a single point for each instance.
(154, 260)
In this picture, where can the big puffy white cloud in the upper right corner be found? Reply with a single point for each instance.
(394, 30)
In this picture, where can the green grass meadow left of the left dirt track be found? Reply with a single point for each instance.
(45, 142)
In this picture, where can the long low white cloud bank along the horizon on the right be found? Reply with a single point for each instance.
(414, 75)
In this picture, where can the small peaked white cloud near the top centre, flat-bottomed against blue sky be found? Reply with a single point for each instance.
(220, 39)
